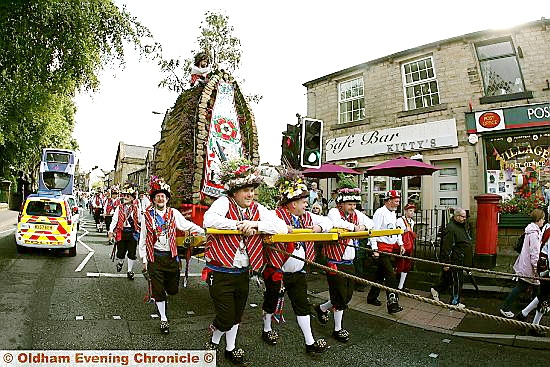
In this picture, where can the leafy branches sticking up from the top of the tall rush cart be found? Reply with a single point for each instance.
(216, 38)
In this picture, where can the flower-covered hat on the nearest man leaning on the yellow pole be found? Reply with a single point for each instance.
(239, 173)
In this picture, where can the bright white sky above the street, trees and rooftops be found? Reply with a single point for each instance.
(284, 45)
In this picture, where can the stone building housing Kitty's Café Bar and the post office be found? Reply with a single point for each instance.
(476, 105)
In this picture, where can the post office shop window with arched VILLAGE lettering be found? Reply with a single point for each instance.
(517, 164)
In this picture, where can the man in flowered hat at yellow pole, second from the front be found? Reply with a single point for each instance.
(285, 274)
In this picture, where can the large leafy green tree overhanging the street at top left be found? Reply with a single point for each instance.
(50, 49)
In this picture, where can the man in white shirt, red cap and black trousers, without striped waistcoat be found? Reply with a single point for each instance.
(385, 217)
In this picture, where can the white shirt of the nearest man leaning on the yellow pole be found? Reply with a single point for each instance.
(215, 217)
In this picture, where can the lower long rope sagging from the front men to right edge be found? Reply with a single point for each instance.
(418, 297)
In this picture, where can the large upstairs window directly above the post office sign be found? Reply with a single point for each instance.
(499, 68)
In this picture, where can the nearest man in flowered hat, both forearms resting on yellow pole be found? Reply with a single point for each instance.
(230, 257)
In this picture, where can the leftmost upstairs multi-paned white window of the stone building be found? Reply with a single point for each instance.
(351, 101)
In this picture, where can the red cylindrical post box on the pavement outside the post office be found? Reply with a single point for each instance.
(486, 230)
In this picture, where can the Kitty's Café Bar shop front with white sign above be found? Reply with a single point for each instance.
(421, 141)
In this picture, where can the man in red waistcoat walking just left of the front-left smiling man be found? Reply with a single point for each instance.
(124, 229)
